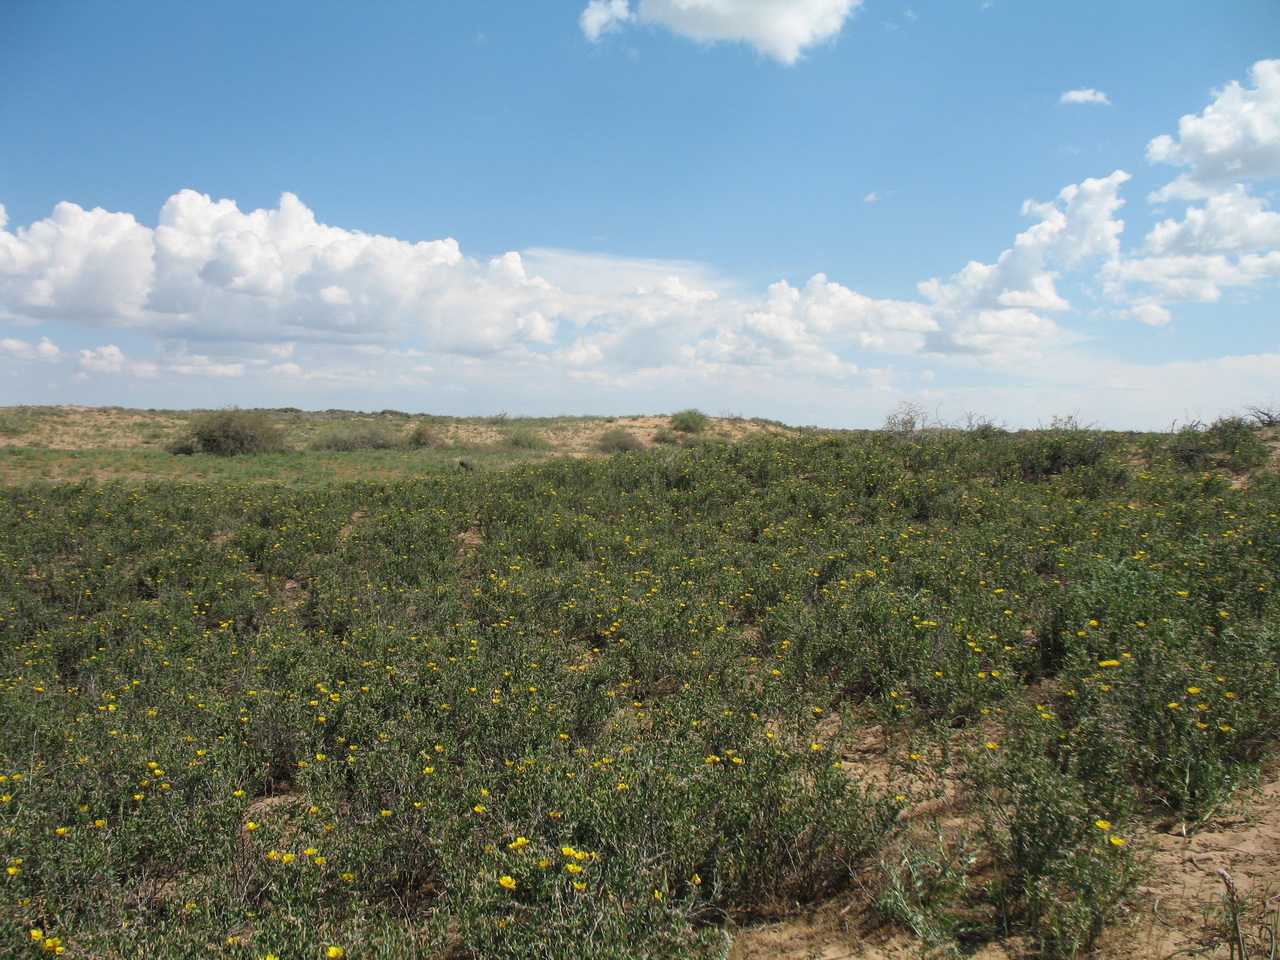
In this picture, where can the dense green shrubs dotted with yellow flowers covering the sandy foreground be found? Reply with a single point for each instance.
(656, 662)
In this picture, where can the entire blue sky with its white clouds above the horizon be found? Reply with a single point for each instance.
(808, 211)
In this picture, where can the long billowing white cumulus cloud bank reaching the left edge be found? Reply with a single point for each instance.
(211, 272)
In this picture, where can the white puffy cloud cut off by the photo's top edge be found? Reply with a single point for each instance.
(779, 29)
